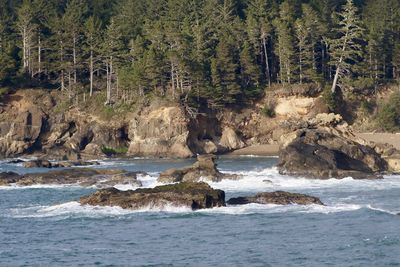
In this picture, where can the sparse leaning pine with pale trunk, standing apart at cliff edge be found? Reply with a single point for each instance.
(346, 49)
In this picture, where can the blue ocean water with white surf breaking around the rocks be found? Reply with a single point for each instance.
(359, 226)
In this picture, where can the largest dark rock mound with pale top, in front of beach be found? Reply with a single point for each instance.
(324, 149)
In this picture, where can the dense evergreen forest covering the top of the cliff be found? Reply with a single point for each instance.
(218, 52)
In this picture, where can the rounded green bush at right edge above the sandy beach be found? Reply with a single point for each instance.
(388, 117)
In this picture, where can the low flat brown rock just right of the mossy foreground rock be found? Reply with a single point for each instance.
(278, 198)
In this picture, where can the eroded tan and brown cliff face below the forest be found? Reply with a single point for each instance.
(32, 124)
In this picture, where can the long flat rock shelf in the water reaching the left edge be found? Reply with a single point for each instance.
(78, 176)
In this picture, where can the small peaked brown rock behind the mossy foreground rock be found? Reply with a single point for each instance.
(204, 169)
